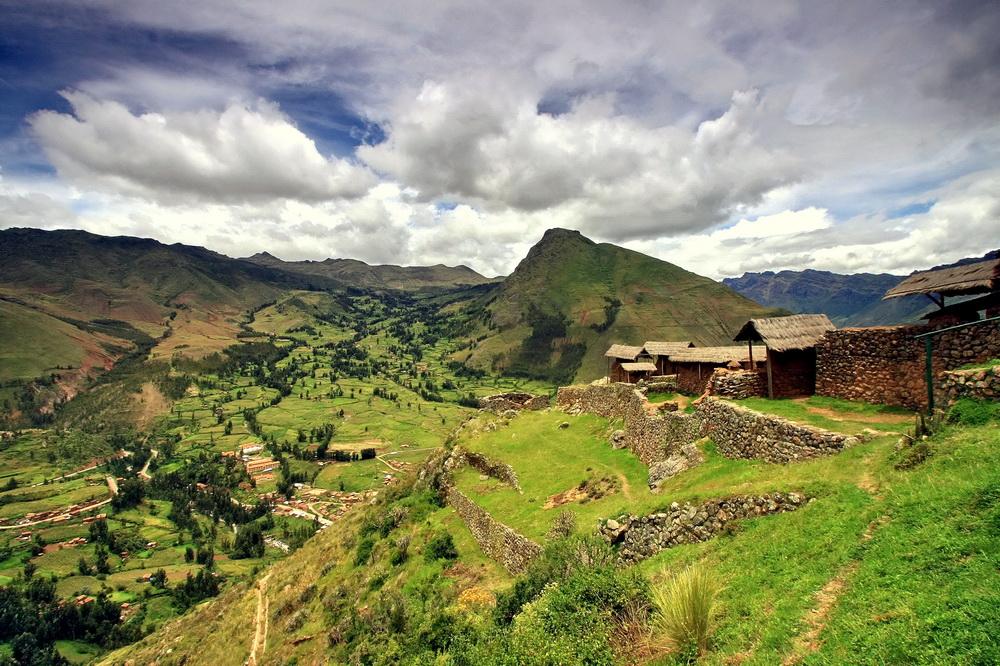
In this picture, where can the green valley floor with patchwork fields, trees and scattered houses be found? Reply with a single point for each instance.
(345, 405)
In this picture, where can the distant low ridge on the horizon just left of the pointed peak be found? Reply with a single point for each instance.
(359, 274)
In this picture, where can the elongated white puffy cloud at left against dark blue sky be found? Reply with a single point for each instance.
(234, 155)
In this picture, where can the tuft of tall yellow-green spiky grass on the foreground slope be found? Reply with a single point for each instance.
(686, 605)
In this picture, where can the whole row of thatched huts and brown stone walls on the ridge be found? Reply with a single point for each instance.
(805, 354)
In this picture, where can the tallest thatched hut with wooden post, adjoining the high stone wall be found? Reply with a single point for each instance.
(791, 351)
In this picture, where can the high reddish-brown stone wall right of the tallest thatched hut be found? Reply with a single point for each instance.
(886, 365)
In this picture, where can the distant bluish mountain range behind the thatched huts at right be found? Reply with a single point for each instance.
(849, 300)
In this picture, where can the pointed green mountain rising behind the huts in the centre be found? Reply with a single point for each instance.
(571, 298)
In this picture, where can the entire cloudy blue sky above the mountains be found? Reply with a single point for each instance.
(722, 136)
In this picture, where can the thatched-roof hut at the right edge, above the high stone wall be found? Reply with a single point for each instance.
(981, 277)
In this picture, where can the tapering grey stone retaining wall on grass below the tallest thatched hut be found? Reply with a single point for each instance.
(739, 432)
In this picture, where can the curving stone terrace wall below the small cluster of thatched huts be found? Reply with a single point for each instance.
(650, 438)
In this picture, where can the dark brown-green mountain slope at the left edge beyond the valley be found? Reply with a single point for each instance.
(76, 299)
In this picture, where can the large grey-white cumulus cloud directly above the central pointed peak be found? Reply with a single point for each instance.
(611, 173)
